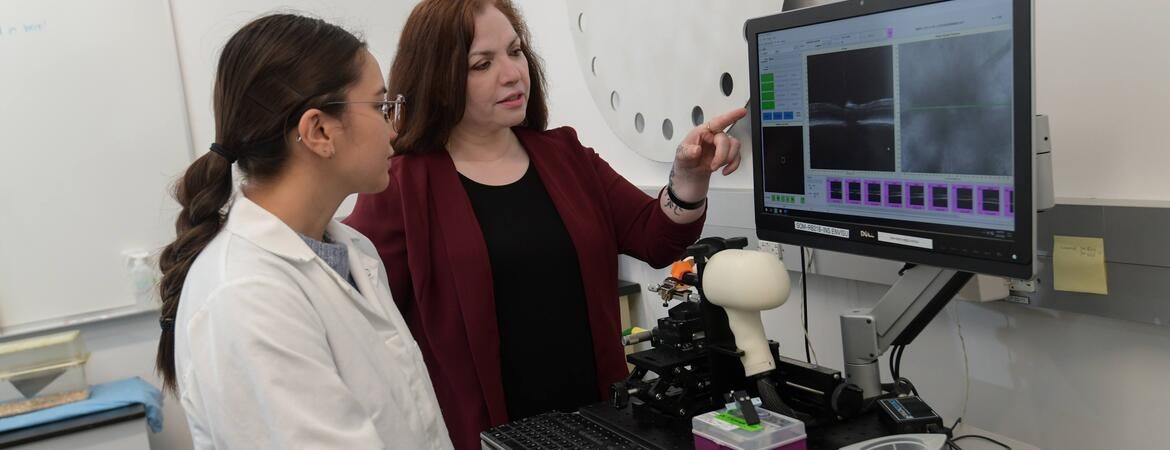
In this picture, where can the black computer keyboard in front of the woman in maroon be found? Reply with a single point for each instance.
(555, 431)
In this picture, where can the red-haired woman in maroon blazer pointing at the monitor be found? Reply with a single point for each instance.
(501, 238)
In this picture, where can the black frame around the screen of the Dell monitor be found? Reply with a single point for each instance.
(780, 229)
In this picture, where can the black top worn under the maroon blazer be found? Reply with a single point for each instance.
(546, 344)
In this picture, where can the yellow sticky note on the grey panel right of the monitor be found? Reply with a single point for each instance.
(1079, 265)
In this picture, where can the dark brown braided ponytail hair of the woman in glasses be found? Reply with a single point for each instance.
(270, 74)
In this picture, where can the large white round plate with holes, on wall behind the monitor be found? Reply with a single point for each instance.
(658, 68)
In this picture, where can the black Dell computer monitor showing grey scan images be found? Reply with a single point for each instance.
(898, 129)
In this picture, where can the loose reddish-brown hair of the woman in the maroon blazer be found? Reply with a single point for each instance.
(431, 71)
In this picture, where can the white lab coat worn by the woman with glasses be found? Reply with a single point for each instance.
(274, 350)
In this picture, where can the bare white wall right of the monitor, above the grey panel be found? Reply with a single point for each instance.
(1104, 78)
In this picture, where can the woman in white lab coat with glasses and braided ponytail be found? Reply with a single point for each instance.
(279, 331)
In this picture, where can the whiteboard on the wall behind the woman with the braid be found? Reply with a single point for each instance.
(94, 133)
